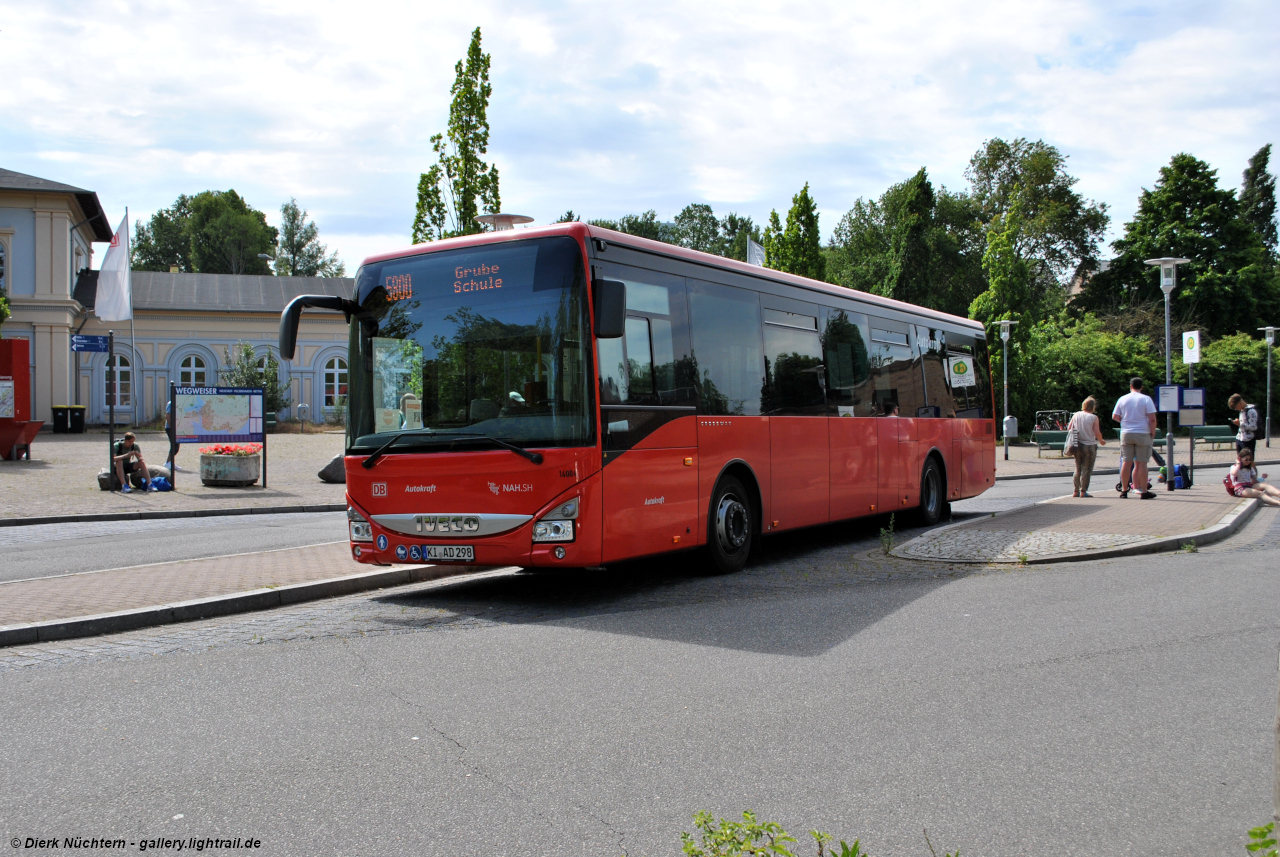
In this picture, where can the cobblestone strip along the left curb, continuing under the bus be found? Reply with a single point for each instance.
(794, 565)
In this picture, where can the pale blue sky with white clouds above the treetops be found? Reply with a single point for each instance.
(609, 108)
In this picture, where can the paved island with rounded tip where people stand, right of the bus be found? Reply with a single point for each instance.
(1101, 526)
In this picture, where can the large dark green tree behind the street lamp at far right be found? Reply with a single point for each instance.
(1229, 283)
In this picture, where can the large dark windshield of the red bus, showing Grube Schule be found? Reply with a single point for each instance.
(482, 342)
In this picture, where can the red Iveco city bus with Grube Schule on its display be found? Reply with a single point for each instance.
(575, 397)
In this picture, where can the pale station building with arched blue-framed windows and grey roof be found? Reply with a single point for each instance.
(184, 324)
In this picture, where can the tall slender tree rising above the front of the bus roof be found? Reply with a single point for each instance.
(450, 195)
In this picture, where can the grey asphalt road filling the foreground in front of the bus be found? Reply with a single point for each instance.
(1113, 708)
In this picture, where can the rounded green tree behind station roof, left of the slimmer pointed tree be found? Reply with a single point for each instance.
(227, 235)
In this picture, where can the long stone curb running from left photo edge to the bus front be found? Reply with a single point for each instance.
(223, 606)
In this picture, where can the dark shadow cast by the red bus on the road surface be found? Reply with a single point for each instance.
(806, 595)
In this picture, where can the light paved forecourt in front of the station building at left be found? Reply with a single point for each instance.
(63, 479)
